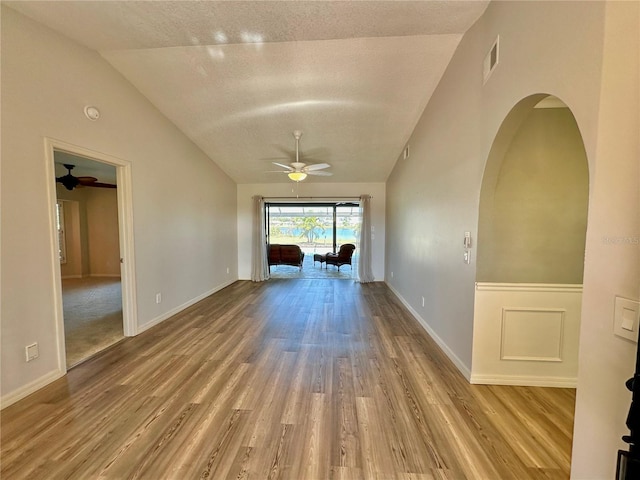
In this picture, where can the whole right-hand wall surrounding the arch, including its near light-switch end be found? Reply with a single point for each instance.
(432, 198)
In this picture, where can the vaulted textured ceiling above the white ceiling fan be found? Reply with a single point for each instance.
(238, 77)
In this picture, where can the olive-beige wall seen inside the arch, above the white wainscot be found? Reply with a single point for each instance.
(533, 220)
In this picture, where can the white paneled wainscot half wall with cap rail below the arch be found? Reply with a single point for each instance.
(526, 334)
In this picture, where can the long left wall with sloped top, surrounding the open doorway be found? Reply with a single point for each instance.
(184, 206)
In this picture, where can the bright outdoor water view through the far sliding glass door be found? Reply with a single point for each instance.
(316, 228)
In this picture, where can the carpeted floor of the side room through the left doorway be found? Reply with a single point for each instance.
(92, 316)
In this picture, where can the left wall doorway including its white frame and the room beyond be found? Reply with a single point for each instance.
(93, 250)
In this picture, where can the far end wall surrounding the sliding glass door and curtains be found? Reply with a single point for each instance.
(309, 189)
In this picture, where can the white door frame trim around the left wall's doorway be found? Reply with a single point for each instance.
(126, 239)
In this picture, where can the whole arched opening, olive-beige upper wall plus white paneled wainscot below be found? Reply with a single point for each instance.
(531, 241)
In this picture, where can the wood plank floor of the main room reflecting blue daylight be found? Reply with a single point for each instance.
(292, 379)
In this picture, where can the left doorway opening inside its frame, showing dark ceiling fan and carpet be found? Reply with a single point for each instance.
(89, 255)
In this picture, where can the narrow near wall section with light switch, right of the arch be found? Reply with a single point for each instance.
(612, 264)
